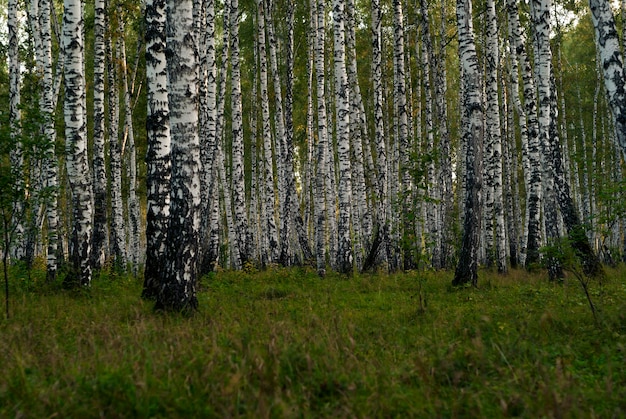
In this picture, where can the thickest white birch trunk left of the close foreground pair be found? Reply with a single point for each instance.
(76, 145)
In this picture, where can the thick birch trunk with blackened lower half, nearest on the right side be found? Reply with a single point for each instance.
(467, 267)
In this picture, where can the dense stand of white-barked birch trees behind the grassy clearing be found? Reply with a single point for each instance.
(336, 136)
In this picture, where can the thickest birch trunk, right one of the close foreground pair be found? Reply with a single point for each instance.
(177, 285)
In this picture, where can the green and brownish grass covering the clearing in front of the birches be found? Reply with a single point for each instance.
(283, 343)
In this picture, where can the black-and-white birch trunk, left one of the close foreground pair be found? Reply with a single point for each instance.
(159, 147)
